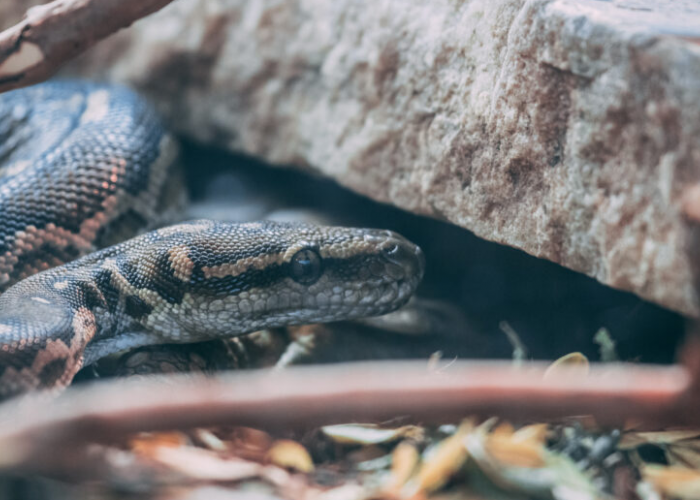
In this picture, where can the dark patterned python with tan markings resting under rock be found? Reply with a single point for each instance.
(88, 176)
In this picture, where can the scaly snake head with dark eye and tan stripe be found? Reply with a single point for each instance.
(266, 274)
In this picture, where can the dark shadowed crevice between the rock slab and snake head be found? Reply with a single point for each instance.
(554, 310)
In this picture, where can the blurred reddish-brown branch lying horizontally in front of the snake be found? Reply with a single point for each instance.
(304, 396)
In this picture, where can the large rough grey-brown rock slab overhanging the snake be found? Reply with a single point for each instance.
(567, 128)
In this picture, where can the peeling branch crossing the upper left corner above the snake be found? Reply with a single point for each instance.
(52, 34)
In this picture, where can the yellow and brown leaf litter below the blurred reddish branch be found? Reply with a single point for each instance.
(474, 459)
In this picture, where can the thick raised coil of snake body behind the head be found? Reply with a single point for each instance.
(82, 166)
